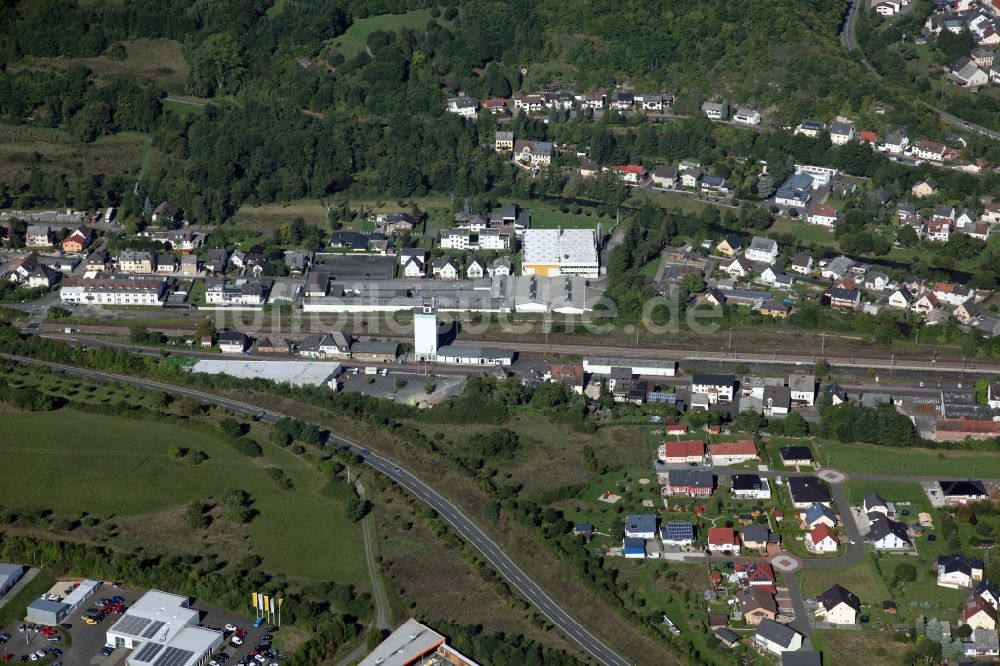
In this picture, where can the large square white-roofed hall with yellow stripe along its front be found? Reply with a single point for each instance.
(554, 252)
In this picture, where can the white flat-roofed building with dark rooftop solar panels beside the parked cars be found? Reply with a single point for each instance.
(161, 629)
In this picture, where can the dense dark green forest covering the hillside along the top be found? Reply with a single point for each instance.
(292, 116)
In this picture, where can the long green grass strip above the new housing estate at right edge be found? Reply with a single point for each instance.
(861, 458)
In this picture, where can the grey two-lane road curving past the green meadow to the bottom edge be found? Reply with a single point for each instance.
(458, 520)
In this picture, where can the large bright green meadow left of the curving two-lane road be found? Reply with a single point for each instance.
(73, 462)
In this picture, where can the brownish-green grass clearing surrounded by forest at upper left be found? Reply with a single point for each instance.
(159, 60)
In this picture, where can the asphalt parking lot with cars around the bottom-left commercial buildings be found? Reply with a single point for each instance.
(82, 643)
